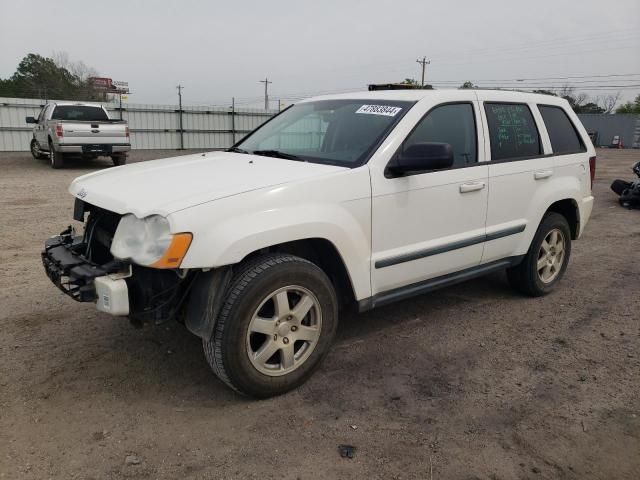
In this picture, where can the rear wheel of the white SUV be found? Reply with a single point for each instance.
(547, 258)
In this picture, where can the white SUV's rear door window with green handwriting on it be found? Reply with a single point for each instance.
(512, 131)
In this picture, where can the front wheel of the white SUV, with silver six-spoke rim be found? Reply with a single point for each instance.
(276, 325)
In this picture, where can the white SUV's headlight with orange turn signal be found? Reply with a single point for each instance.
(149, 242)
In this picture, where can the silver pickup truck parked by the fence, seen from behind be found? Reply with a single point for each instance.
(81, 129)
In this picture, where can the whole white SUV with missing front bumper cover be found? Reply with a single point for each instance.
(366, 198)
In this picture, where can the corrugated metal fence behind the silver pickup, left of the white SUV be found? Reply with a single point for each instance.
(151, 126)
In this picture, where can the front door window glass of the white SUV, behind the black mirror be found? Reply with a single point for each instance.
(453, 124)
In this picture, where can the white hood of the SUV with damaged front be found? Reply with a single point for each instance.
(165, 186)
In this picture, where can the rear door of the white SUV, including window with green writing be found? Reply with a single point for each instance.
(518, 171)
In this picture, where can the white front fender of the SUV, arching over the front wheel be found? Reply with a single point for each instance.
(337, 209)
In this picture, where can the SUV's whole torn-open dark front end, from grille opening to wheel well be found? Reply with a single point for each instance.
(83, 267)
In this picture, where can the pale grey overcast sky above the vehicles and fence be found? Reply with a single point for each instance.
(219, 49)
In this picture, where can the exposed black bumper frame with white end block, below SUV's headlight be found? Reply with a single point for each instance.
(85, 281)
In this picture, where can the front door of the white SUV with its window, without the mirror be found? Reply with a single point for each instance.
(429, 224)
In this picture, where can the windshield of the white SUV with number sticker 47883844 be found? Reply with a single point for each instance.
(336, 132)
